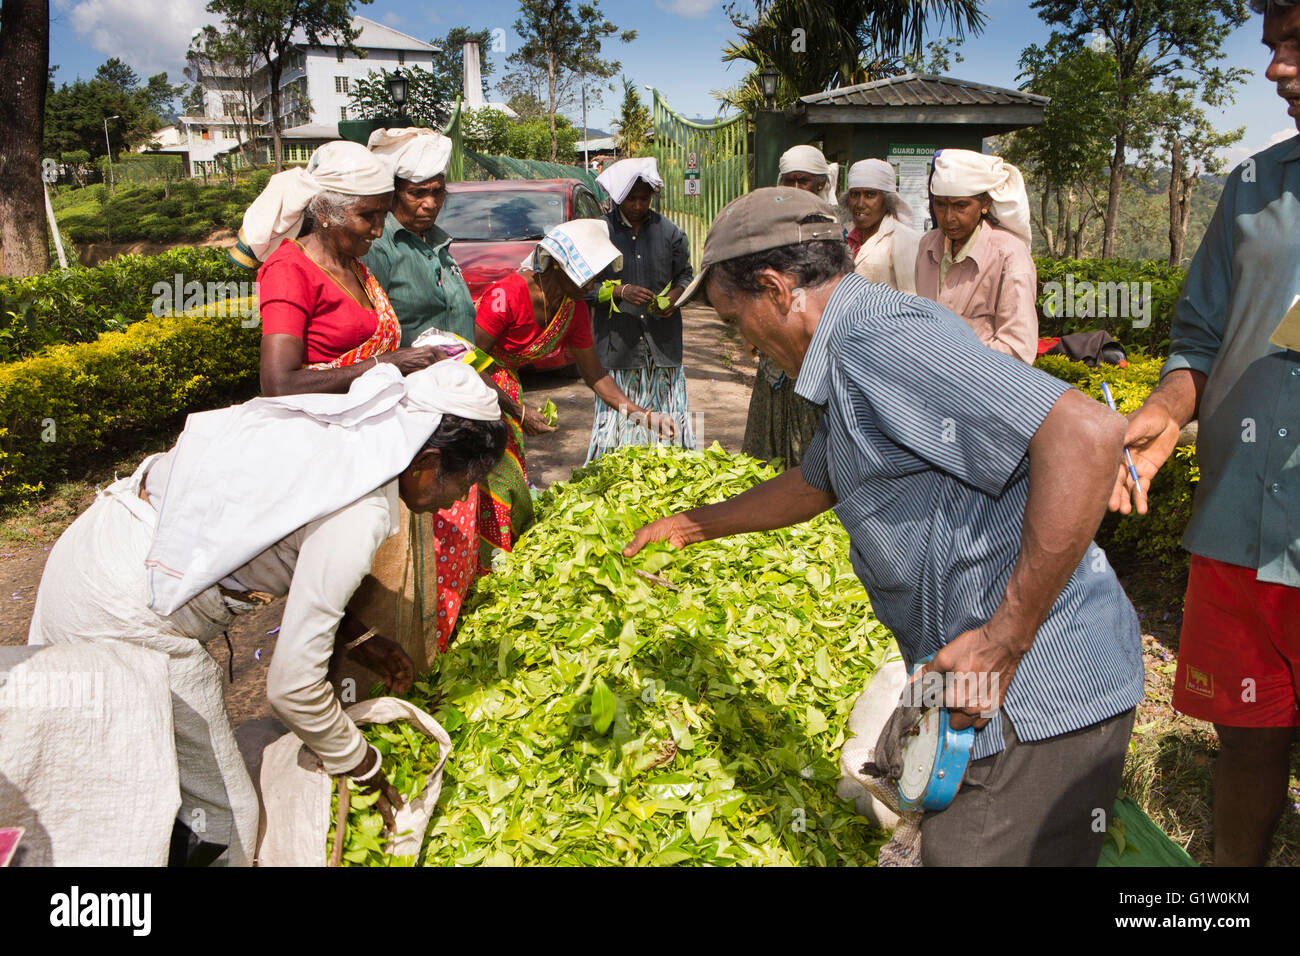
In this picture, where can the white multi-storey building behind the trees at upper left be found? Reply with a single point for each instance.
(315, 88)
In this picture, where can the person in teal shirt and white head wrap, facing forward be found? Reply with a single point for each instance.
(413, 259)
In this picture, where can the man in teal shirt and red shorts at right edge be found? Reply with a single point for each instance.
(1240, 651)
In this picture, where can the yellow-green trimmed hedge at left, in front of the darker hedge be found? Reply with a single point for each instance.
(75, 405)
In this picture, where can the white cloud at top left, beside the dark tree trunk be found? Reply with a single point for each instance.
(149, 37)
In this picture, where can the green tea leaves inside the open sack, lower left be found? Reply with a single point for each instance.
(409, 758)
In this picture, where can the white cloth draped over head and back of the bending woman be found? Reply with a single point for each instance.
(248, 477)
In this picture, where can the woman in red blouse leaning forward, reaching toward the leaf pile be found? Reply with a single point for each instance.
(525, 317)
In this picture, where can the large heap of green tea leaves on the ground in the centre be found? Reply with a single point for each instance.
(692, 713)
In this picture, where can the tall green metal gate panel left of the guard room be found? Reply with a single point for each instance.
(704, 167)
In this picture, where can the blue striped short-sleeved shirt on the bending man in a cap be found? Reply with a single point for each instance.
(925, 445)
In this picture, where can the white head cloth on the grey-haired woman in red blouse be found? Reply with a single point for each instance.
(340, 167)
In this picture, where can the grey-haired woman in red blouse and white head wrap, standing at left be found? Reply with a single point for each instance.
(324, 318)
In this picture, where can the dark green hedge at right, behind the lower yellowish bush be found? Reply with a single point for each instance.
(1078, 305)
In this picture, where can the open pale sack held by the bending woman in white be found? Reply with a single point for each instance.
(296, 793)
